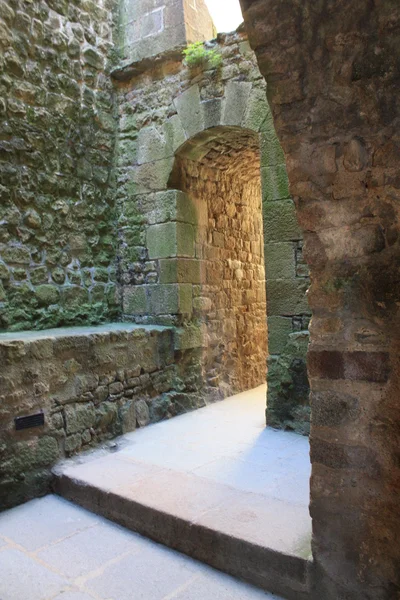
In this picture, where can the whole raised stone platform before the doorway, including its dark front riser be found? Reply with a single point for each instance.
(215, 478)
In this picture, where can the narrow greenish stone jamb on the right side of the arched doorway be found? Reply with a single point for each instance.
(286, 285)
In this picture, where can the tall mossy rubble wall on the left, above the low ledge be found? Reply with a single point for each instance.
(57, 130)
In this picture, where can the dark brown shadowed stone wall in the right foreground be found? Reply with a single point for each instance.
(333, 77)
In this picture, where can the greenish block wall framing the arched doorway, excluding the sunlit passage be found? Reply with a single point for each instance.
(162, 108)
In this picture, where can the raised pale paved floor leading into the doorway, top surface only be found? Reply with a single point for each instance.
(219, 467)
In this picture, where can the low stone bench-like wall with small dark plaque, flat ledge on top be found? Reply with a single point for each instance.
(92, 384)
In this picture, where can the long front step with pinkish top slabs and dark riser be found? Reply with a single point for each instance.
(233, 531)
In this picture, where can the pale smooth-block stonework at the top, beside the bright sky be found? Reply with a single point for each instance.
(150, 27)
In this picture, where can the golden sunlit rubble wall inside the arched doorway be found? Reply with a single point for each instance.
(229, 300)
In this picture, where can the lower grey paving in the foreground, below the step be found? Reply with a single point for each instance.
(51, 549)
